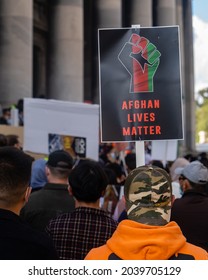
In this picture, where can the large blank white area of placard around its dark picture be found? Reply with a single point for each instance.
(43, 117)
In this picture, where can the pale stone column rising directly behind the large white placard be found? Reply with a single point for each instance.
(66, 50)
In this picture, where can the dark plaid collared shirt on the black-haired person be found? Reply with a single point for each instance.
(75, 234)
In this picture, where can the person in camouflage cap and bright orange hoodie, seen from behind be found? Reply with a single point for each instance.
(147, 234)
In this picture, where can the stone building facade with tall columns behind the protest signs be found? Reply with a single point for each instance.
(48, 48)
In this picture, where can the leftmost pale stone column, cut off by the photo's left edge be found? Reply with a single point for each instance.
(16, 23)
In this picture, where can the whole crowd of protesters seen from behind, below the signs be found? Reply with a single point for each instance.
(61, 207)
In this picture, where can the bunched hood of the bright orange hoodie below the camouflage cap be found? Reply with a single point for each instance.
(136, 241)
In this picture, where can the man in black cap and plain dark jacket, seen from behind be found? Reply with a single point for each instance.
(53, 199)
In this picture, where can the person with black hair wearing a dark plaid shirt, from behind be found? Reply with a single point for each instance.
(74, 234)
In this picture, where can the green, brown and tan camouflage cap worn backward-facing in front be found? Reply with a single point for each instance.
(148, 194)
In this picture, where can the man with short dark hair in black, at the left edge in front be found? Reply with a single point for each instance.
(18, 241)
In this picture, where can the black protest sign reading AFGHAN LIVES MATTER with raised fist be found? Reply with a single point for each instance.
(140, 89)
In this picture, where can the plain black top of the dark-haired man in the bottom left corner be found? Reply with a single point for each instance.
(18, 241)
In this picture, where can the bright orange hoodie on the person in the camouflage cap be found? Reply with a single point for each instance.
(136, 241)
